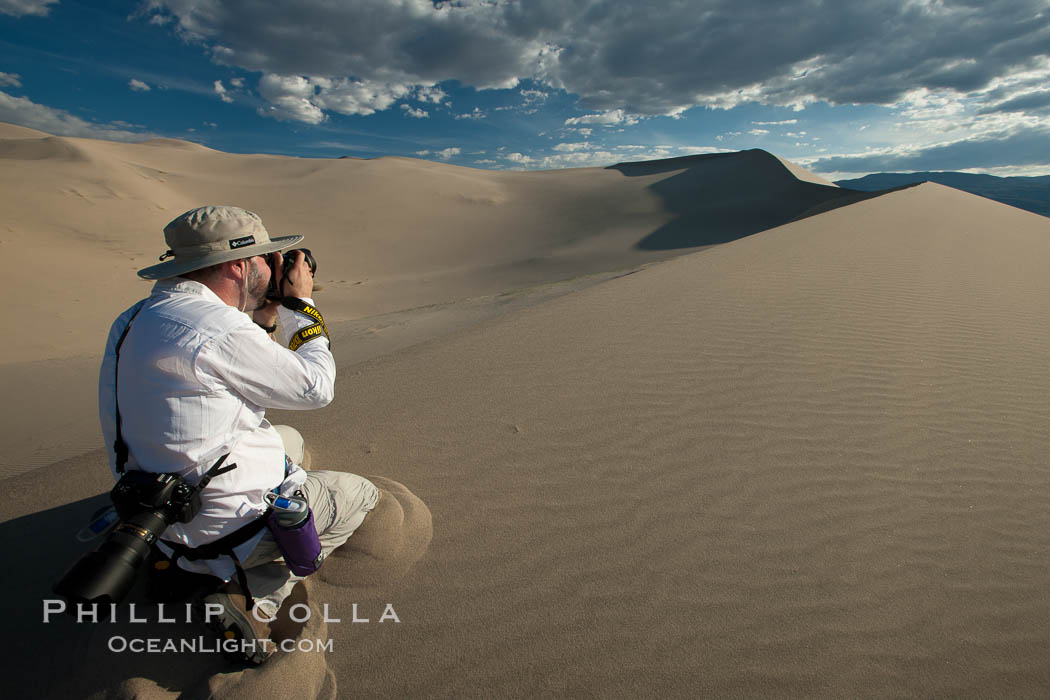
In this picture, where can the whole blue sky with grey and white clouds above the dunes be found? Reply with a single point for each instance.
(843, 88)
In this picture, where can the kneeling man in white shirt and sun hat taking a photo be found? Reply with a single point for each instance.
(186, 379)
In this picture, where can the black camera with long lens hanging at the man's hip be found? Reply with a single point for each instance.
(148, 503)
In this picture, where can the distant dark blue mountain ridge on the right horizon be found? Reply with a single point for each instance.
(1028, 194)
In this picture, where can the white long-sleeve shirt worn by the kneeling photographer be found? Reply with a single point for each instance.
(196, 377)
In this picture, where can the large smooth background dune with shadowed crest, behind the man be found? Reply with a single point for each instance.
(392, 236)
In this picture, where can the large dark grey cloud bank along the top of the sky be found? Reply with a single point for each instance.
(647, 58)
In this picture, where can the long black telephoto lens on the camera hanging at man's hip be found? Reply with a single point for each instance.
(107, 576)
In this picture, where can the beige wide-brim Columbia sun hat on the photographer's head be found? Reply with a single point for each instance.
(209, 236)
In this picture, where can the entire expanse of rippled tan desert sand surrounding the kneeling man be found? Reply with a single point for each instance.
(811, 461)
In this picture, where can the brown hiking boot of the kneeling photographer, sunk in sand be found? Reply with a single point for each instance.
(237, 623)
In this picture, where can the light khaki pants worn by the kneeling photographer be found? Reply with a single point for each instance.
(340, 502)
